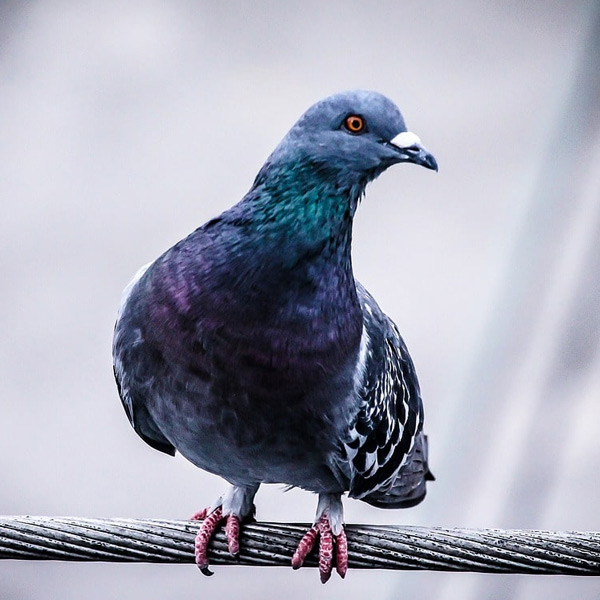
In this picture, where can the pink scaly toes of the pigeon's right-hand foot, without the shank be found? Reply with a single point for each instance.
(322, 529)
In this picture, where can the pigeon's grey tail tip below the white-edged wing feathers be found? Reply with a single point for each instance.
(409, 487)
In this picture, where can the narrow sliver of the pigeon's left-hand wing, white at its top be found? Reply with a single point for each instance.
(133, 382)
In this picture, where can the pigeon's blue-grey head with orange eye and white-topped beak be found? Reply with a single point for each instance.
(355, 135)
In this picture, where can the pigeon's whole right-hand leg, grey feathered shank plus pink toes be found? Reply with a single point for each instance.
(328, 528)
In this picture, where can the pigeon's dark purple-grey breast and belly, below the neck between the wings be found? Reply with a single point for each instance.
(250, 395)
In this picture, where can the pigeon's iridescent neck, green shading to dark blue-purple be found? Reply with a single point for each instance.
(293, 237)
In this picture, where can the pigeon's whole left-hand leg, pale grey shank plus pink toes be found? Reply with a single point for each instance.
(234, 507)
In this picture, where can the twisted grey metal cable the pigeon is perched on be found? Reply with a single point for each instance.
(369, 546)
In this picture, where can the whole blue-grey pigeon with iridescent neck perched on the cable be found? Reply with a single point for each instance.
(250, 348)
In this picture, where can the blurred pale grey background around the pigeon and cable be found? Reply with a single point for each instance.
(126, 125)
